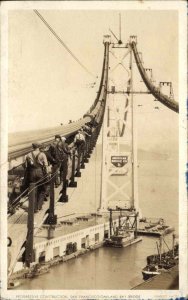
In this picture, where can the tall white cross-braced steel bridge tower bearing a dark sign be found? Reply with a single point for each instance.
(119, 149)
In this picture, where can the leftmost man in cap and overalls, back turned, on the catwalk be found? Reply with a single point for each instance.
(37, 169)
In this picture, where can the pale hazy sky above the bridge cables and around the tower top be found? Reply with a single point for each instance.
(48, 87)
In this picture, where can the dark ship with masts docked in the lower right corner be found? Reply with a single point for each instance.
(161, 262)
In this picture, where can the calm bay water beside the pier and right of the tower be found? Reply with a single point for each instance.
(110, 268)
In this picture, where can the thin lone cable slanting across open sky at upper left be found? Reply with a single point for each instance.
(62, 43)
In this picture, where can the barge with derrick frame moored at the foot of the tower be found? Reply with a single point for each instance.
(124, 235)
